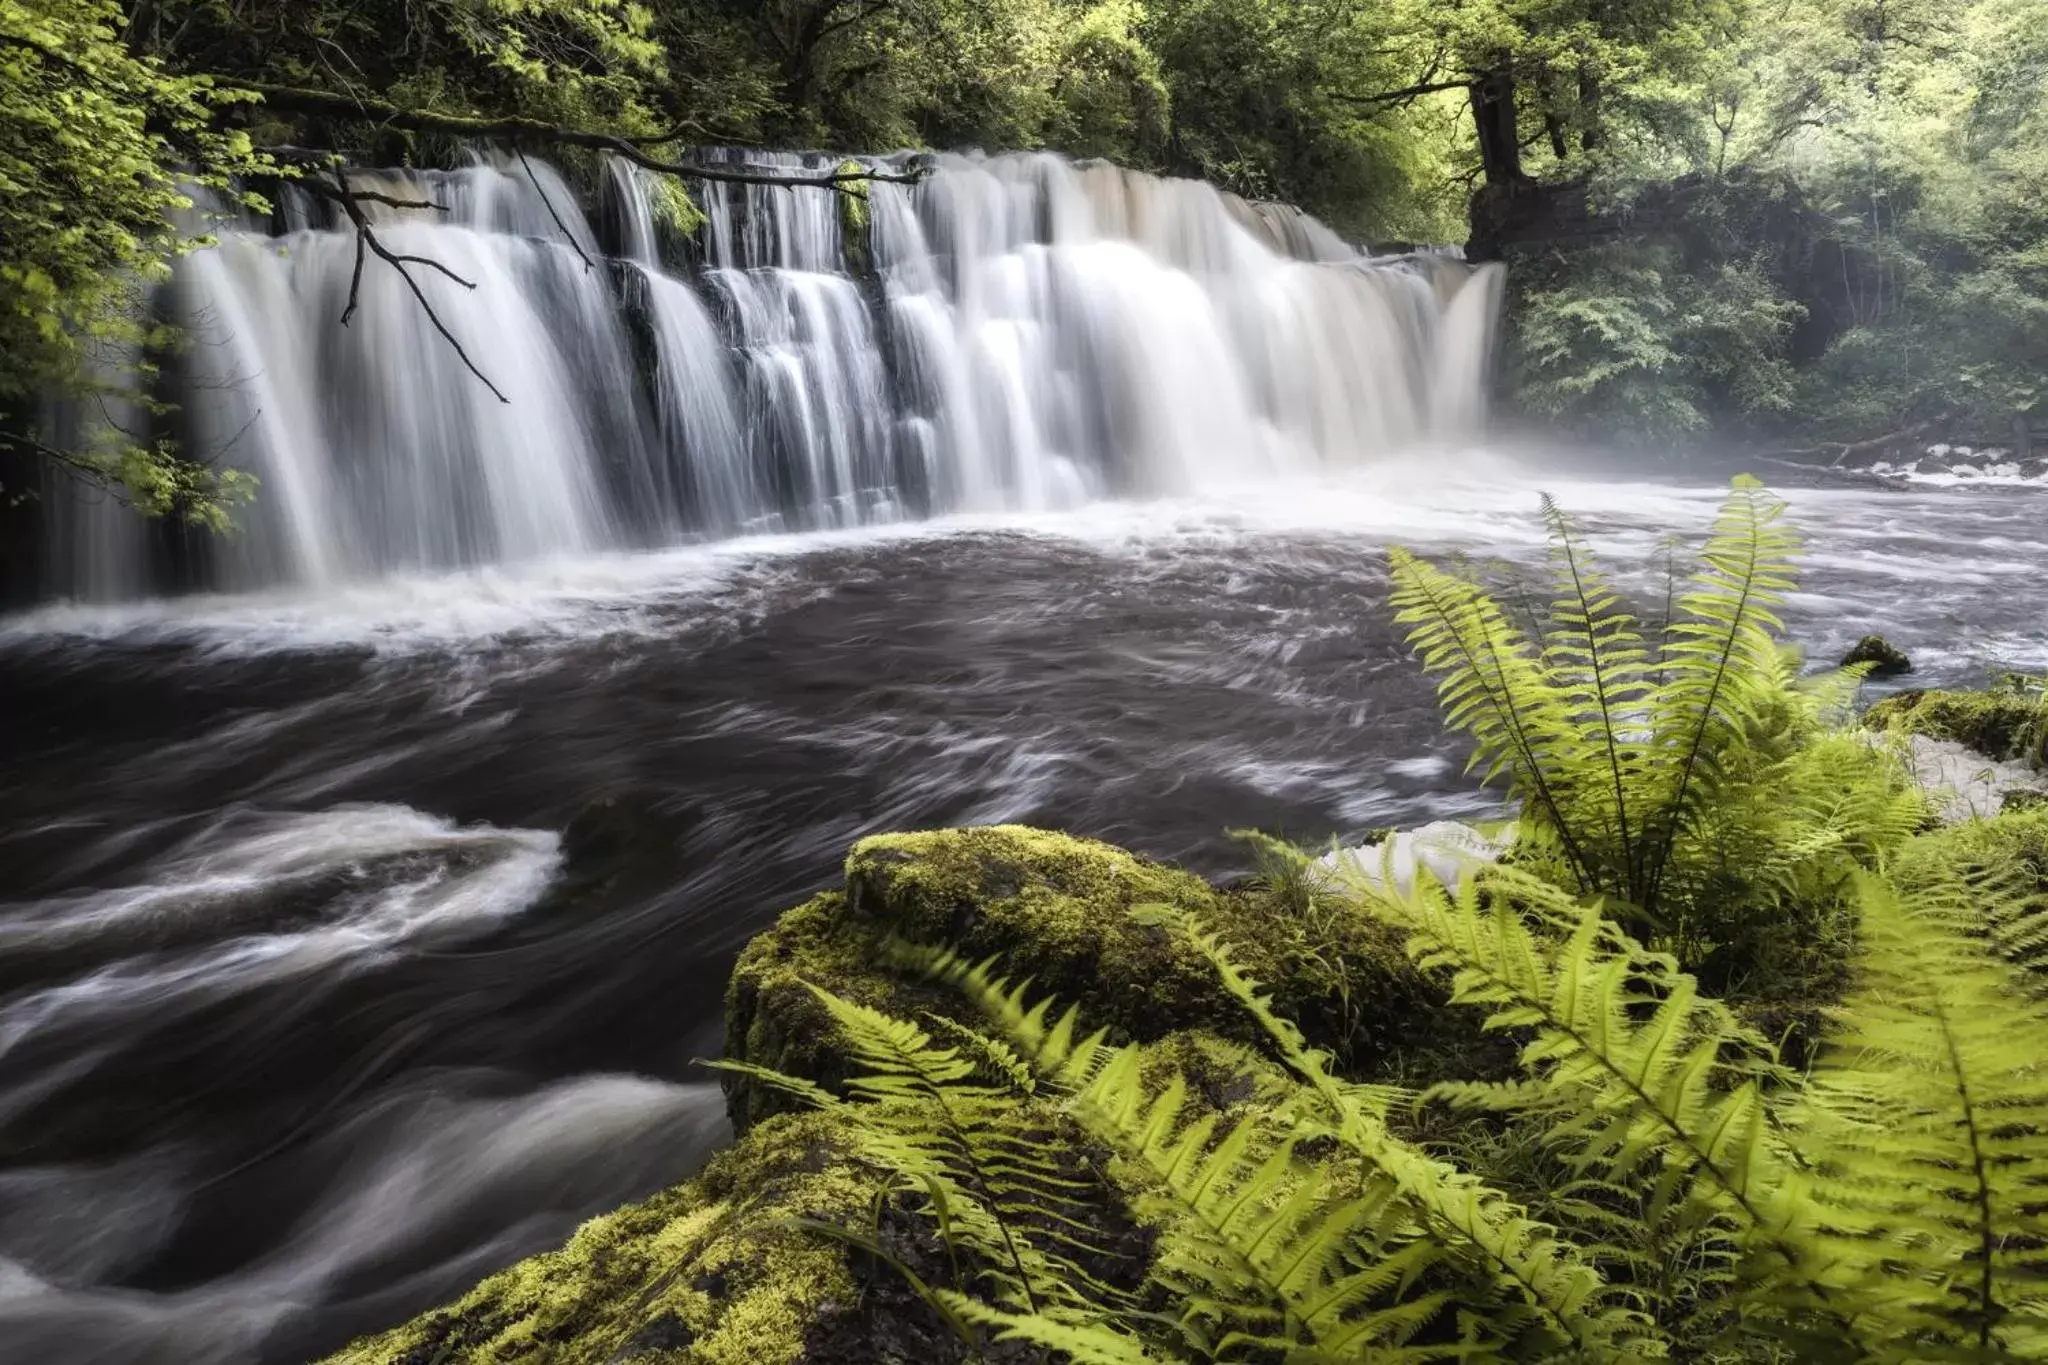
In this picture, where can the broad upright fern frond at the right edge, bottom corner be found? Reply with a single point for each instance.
(1932, 1106)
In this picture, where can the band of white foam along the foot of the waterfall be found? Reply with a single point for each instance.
(1476, 502)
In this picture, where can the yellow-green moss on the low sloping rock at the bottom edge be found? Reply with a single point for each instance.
(703, 1274)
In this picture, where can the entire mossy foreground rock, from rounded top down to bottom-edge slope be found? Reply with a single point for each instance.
(718, 1270)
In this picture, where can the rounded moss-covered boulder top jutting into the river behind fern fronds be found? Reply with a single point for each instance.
(1058, 910)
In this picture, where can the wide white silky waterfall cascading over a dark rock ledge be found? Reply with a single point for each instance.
(1013, 333)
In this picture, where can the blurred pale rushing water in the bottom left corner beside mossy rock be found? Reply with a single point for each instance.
(402, 1178)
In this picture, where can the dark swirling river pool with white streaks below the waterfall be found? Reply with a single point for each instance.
(310, 1014)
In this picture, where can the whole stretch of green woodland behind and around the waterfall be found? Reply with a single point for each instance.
(1756, 224)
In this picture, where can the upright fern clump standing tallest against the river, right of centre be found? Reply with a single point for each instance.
(1674, 768)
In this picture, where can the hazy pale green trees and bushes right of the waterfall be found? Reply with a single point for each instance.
(1854, 185)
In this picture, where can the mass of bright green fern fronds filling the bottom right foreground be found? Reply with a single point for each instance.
(1885, 1208)
